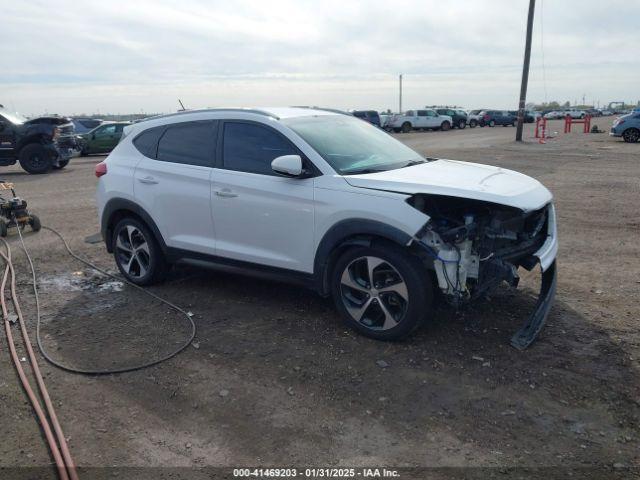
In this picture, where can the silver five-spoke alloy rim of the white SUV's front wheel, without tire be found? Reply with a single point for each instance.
(374, 293)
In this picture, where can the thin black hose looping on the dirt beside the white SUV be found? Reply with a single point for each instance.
(71, 369)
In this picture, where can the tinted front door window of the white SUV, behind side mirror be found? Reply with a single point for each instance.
(249, 147)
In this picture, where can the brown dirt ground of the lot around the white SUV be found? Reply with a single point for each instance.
(275, 379)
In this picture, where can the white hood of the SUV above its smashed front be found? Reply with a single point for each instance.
(460, 179)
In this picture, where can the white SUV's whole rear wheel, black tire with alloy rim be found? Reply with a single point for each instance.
(137, 253)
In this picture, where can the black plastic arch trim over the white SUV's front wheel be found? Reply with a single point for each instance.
(357, 232)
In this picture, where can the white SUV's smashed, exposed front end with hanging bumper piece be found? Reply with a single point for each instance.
(475, 245)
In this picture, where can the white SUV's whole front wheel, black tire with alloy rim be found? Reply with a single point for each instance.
(382, 292)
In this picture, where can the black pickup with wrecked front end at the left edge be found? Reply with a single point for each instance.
(33, 143)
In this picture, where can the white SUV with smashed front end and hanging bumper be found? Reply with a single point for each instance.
(327, 200)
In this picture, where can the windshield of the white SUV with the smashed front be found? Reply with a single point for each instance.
(352, 146)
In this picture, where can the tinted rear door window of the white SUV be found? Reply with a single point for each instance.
(191, 143)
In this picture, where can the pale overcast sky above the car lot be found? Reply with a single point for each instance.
(124, 57)
